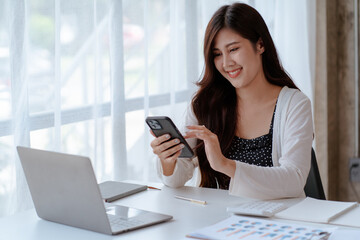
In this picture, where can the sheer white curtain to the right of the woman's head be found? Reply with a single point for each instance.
(294, 37)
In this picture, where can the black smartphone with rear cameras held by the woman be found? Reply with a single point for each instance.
(161, 125)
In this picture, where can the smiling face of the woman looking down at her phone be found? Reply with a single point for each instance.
(237, 59)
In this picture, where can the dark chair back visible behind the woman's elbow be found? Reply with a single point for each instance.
(313, 187)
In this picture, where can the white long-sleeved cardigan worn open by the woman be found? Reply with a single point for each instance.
(291, 155)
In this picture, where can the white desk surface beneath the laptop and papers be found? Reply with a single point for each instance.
(187, 217)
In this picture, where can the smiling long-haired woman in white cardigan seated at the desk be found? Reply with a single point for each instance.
(252, 126)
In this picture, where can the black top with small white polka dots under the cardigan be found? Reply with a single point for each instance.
(257, 151)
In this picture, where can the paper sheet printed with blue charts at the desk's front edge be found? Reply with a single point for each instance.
(238, 227)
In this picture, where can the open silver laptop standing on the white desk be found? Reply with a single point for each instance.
(64, 190)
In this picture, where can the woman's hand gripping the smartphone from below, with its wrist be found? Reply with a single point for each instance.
(167, 151)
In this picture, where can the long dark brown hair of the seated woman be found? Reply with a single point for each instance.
(215, 103)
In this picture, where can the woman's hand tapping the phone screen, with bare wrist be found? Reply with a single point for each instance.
(217, 160)
